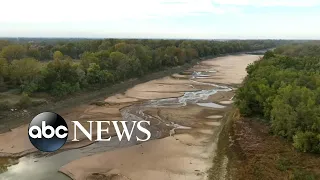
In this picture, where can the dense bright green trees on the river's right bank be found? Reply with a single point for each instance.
(284, 88)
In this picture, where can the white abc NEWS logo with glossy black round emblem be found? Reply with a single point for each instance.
(48, 131)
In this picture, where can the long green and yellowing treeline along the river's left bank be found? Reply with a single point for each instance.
(64, 67)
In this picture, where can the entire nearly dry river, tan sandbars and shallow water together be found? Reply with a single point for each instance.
(186, 113)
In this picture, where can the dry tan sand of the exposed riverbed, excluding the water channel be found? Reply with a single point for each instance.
(186, 134)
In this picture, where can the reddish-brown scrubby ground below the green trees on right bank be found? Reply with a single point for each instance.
(260, 155)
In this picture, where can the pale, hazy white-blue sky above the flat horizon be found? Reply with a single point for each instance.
(194, 19)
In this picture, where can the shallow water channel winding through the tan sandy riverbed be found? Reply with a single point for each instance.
(45, 166)
